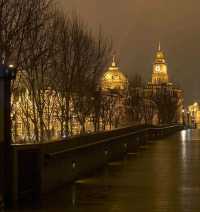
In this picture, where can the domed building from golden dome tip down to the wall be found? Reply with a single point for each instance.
(114, 90)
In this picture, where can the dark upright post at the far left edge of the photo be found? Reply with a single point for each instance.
(7, 73)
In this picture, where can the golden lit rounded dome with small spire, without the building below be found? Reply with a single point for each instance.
(114, 79)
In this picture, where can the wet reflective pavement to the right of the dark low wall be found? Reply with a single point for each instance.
(163, 177)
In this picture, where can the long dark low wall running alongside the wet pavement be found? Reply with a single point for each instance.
(41, 168)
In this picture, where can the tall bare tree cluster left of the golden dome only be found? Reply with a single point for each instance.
(59, 60)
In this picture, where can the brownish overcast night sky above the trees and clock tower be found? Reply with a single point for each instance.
(136, 26)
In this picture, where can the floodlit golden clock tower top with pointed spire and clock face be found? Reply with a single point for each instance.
(160, 75)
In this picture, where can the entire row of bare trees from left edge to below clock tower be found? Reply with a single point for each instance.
(60, 61)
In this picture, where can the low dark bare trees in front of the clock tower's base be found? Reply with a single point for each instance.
(146, 103)
